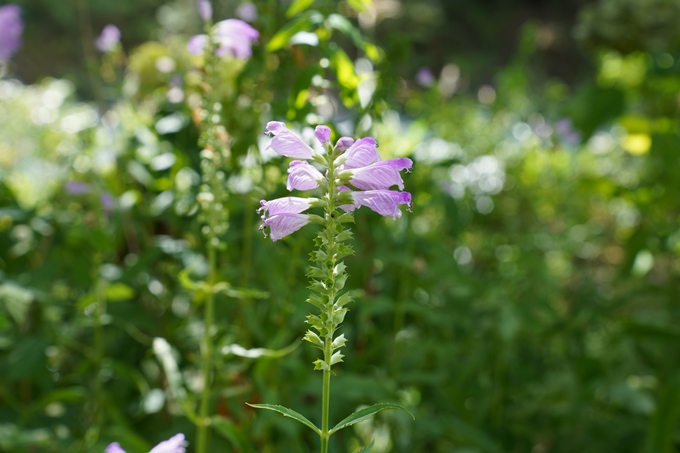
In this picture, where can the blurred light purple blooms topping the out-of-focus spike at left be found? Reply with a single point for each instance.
(231, 36)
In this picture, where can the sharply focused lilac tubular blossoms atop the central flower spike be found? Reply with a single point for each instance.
(362, 178)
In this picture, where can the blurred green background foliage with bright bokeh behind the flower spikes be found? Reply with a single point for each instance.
(529, 303)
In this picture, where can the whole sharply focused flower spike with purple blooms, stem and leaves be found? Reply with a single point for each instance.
(347, 166)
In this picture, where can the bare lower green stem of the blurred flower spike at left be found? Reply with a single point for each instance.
(202, 438)
